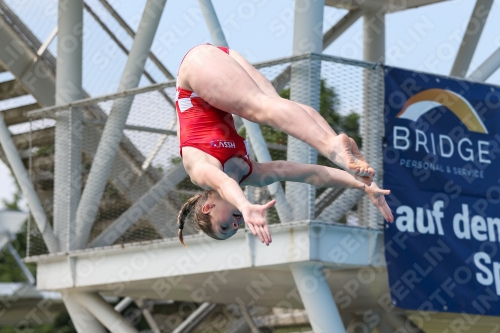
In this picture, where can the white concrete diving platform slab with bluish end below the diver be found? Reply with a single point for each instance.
(238, 270)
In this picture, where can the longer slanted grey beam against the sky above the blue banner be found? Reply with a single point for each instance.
(471, 37)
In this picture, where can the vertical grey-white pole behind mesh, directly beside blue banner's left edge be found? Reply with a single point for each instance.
(372, 121)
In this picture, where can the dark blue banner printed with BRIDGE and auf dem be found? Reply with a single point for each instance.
(441, 150)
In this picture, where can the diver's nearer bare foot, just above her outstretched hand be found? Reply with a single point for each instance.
(342, 155)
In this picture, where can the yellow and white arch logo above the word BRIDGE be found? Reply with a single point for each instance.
(429, 99)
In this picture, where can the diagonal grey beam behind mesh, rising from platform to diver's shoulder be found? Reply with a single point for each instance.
(140, 207)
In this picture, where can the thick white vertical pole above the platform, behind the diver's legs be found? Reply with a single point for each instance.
(305, 89)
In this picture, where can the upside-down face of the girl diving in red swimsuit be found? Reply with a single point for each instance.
(226, 218)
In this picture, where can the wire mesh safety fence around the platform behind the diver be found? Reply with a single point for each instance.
(347, 93)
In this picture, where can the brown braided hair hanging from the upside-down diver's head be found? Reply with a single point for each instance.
(201, 221)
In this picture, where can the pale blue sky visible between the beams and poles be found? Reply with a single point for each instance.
(425, 39)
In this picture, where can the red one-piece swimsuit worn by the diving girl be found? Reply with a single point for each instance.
(209, 129)
